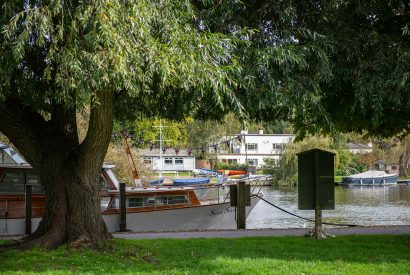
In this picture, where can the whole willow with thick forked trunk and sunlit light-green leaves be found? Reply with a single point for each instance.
(58, 58)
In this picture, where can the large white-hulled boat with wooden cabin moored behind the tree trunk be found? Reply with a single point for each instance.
(155, 208)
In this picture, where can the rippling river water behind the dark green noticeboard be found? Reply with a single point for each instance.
(361, 205)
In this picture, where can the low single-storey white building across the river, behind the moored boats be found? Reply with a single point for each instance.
(169, 160)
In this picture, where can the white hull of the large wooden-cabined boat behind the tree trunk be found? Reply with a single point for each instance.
(214, 216)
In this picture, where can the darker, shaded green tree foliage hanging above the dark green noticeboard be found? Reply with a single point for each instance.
(324, 65)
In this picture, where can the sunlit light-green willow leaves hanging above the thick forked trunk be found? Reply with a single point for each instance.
(148, 53)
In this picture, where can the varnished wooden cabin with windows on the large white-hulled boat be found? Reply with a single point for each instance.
(16, 174)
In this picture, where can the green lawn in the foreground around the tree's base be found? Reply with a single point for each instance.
(270, 255)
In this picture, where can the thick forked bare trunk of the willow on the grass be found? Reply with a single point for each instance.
(68, 170)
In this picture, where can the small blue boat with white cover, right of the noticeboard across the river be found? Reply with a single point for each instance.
(370, 177)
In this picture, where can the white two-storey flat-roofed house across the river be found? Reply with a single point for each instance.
(254, 148)
